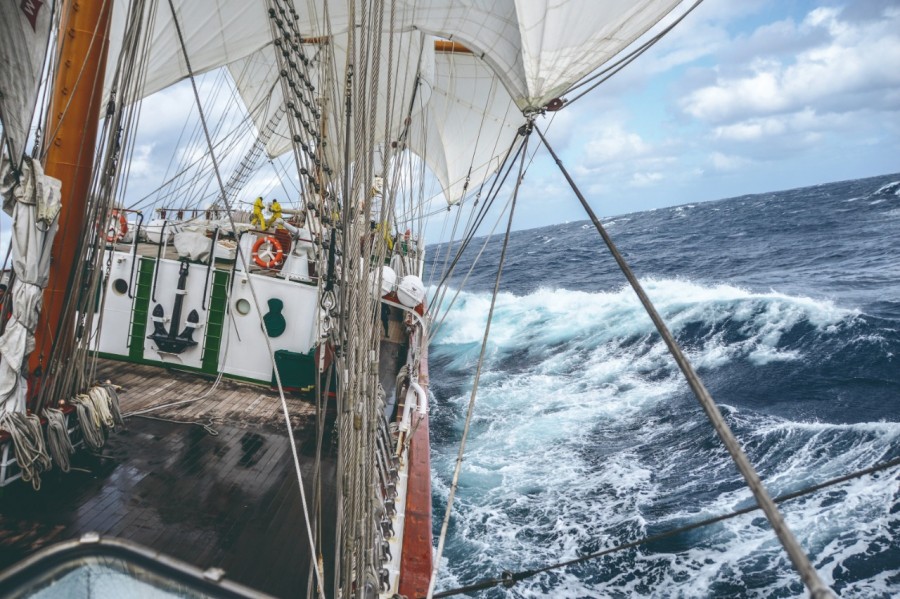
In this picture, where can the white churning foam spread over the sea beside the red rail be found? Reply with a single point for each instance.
(576, 444)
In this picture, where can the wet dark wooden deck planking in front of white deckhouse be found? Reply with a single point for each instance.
(229, 501)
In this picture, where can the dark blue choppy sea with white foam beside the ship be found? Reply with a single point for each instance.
(585, 436)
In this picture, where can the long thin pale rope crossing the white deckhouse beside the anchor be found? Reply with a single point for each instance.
(243, 258)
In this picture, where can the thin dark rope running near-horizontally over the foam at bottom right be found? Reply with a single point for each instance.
(508, 578)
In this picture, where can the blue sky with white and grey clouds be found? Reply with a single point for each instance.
(742, 97)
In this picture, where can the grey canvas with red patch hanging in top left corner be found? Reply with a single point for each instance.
(24, 32)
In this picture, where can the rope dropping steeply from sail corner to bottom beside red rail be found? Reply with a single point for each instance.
(471, 408)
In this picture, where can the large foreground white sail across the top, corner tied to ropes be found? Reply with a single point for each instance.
(538, 48)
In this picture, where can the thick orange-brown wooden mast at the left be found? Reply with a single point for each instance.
(72, 126)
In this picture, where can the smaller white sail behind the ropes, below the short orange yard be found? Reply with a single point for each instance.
(467, 126)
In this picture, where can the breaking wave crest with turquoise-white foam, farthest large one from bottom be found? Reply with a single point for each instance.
(717, 323)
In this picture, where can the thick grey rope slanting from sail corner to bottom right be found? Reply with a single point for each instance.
(817, 589)
